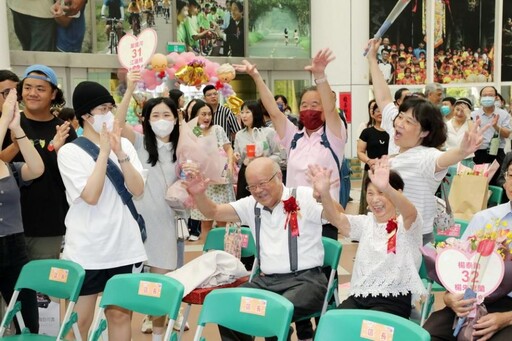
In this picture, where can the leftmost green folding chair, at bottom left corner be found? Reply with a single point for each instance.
(56, 278)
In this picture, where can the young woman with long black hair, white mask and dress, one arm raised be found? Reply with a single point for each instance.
(156, 148)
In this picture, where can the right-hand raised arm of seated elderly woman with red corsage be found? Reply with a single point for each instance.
(379, 177)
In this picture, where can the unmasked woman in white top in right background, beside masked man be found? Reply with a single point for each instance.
(458, 125)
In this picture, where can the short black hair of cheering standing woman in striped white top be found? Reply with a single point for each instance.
(430, 119)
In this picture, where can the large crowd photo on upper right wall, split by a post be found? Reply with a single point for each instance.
(463, 41)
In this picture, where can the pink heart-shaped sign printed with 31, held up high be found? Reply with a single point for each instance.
(134, 52)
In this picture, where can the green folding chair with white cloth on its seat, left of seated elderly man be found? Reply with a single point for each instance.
(215, 241)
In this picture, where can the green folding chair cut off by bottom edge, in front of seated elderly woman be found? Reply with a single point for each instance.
(361, 324)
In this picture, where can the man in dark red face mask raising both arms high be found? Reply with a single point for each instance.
(319, 122)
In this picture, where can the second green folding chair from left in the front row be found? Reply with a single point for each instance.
(145, 293)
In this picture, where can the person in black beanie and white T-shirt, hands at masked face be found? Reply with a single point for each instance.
(102, 234)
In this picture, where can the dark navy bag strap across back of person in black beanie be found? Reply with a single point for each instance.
(116, 177)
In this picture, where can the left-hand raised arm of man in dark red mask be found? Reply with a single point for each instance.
(267, 98)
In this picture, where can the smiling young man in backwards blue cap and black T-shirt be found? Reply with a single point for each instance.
(43, 203)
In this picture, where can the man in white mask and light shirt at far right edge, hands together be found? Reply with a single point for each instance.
(492, 147)
